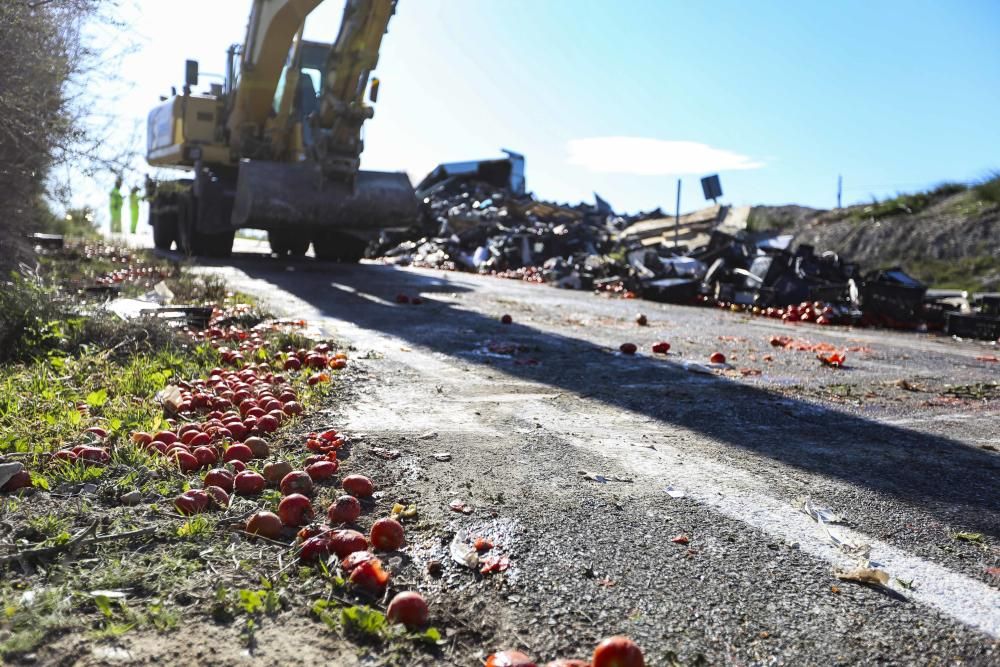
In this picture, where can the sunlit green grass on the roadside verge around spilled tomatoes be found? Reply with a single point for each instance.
(74, 371)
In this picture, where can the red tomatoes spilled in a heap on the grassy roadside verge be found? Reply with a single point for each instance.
(219, 431)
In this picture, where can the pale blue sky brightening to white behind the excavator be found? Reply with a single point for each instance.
(621, 98)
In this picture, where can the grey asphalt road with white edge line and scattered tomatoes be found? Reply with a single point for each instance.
(902, 444)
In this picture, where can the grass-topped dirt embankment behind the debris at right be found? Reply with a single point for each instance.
(945, 238)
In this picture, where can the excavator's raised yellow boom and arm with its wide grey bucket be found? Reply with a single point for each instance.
(327, 189)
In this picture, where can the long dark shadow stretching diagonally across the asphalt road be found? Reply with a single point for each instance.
(953, 481)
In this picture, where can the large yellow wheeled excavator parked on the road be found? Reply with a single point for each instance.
(277, 146)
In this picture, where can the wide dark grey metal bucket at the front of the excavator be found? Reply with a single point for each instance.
(271, 195)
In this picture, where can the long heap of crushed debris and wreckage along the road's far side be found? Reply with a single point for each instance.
(477, 216)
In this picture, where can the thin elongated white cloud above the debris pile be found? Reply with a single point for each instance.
(653, 157)
